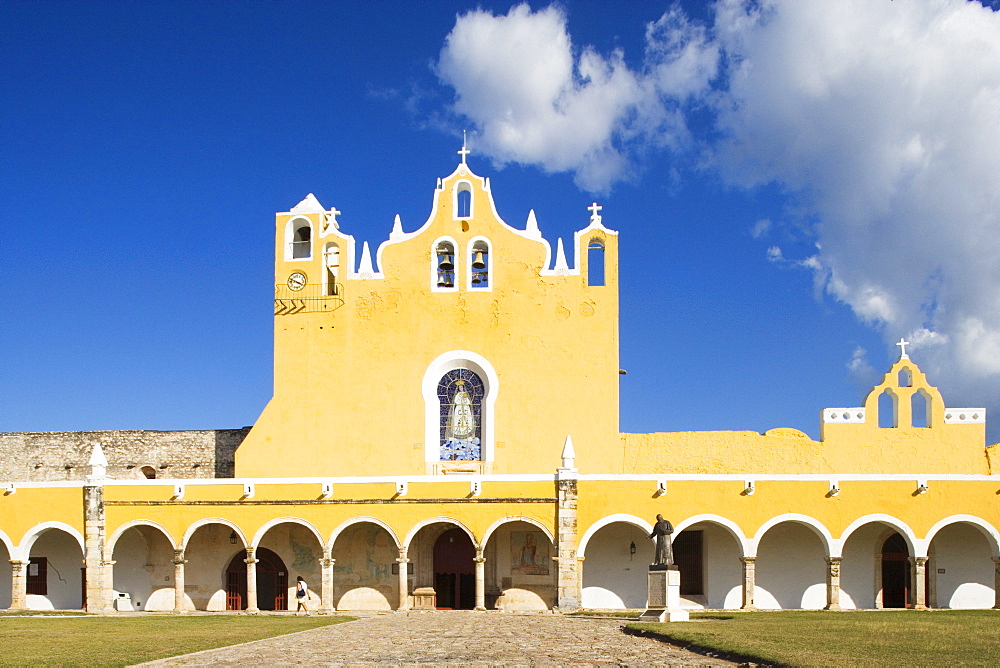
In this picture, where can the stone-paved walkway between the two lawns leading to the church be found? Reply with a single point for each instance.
(454, 638)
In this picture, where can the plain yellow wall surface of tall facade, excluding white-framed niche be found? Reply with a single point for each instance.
(347, 389)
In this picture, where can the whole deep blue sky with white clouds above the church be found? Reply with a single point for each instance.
(797, 186)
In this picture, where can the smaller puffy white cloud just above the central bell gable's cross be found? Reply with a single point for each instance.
(534, 100)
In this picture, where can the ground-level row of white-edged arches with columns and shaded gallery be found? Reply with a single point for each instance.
(364, 566)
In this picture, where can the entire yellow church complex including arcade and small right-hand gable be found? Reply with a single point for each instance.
(412, 456)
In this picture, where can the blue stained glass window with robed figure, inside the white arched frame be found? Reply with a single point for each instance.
(460, 394)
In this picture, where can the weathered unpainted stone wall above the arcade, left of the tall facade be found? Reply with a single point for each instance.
(49, 456)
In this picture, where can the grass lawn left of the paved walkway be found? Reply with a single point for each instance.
(120, 641)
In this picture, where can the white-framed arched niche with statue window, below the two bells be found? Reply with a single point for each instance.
(459, 389)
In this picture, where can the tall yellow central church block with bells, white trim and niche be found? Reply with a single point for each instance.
(466, 345)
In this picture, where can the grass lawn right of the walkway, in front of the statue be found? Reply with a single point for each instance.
(850, 638)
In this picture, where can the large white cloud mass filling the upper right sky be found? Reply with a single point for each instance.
(884, 118)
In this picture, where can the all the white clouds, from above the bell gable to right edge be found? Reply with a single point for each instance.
(880, 119)
